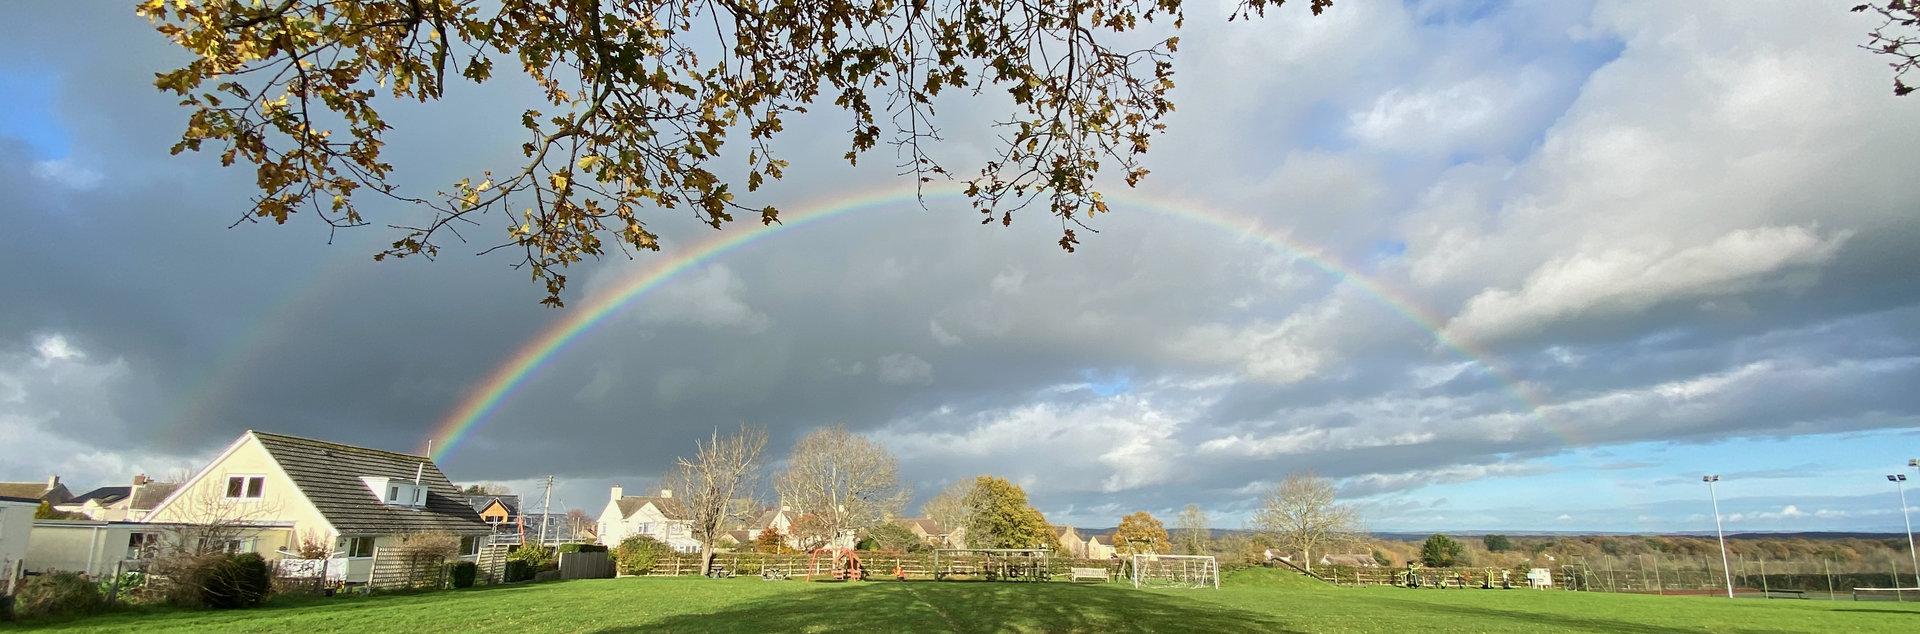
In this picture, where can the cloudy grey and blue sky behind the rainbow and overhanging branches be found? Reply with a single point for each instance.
(1487, 266)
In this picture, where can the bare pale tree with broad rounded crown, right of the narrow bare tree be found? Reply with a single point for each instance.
(844, 481)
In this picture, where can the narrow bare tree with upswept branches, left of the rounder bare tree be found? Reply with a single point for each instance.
(715, 487)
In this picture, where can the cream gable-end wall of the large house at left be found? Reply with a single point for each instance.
(279, 504)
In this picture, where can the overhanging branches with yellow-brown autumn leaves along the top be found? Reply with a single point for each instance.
(640, 101)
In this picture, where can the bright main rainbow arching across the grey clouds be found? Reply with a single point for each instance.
(502, 383)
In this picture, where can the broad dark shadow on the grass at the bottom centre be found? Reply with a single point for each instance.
(971, 608)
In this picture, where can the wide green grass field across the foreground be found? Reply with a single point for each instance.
(1249, 602)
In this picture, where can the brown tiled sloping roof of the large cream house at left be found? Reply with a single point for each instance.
(329, 475)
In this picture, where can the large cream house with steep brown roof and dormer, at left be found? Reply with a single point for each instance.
(350, 500)
